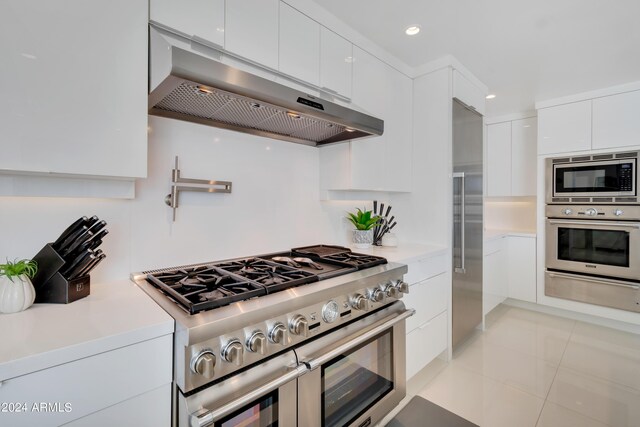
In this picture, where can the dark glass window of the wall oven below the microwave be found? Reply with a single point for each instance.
(606, 247)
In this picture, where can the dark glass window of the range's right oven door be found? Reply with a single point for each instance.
(355, 381)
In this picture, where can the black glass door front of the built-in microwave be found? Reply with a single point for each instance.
(600, 177)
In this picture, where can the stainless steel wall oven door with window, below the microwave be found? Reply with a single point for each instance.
(603, 248)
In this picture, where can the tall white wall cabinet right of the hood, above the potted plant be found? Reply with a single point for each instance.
(379, 163)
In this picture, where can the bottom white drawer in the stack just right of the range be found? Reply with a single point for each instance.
(425, 343)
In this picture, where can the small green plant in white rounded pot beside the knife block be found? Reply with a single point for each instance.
(16, 290)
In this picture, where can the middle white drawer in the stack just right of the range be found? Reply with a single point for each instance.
(428, 298)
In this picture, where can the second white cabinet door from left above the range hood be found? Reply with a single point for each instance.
(251, 30)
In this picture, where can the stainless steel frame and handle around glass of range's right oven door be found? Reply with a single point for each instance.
(309, 385)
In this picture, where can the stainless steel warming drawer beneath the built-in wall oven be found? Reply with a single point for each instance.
(591, 290)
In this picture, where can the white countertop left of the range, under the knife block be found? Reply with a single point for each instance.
(115, 315)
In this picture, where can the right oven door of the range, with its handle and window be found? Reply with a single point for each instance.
(357, 372)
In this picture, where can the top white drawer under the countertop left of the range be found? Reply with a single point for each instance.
(90, 384)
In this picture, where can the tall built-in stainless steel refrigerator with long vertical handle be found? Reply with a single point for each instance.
(467, 222)
